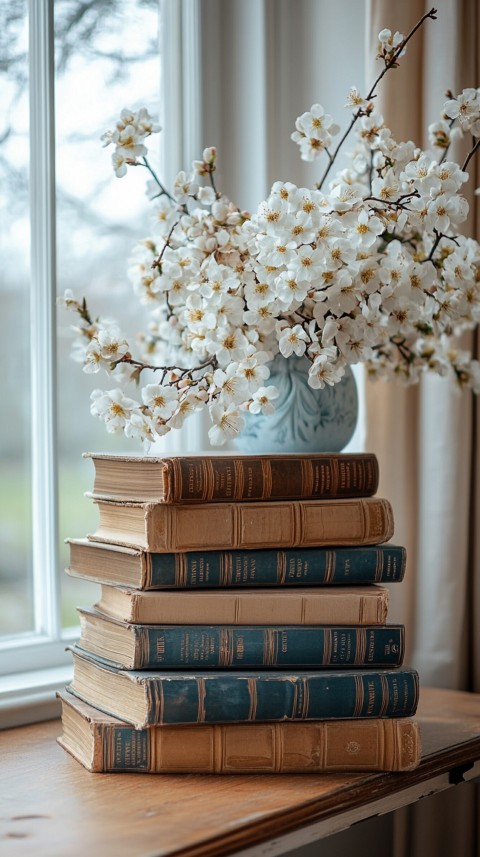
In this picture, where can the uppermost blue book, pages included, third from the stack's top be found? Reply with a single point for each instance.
(122, 566)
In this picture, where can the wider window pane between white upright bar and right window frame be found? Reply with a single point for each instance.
(107, 59)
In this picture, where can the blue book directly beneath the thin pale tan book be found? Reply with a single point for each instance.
(131, 646)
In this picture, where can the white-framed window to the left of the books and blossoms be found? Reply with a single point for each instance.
(67, 69)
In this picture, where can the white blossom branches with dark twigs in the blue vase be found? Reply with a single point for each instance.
(374, 270)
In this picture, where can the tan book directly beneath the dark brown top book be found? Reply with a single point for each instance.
(160, 528)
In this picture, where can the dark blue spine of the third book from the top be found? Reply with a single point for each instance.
(294, 567)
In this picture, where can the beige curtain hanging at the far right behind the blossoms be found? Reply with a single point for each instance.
(427, 438)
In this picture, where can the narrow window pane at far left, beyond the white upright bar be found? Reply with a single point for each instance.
(16, 597)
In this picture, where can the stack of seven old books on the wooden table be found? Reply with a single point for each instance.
(242, 620)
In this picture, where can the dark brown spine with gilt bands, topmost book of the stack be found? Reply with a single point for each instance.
(262, 478)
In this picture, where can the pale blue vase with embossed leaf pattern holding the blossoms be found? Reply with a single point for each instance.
(305, 420)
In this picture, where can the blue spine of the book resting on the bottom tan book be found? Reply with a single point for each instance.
(227, 697)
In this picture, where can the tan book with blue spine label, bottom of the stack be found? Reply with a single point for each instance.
(102, 743)
